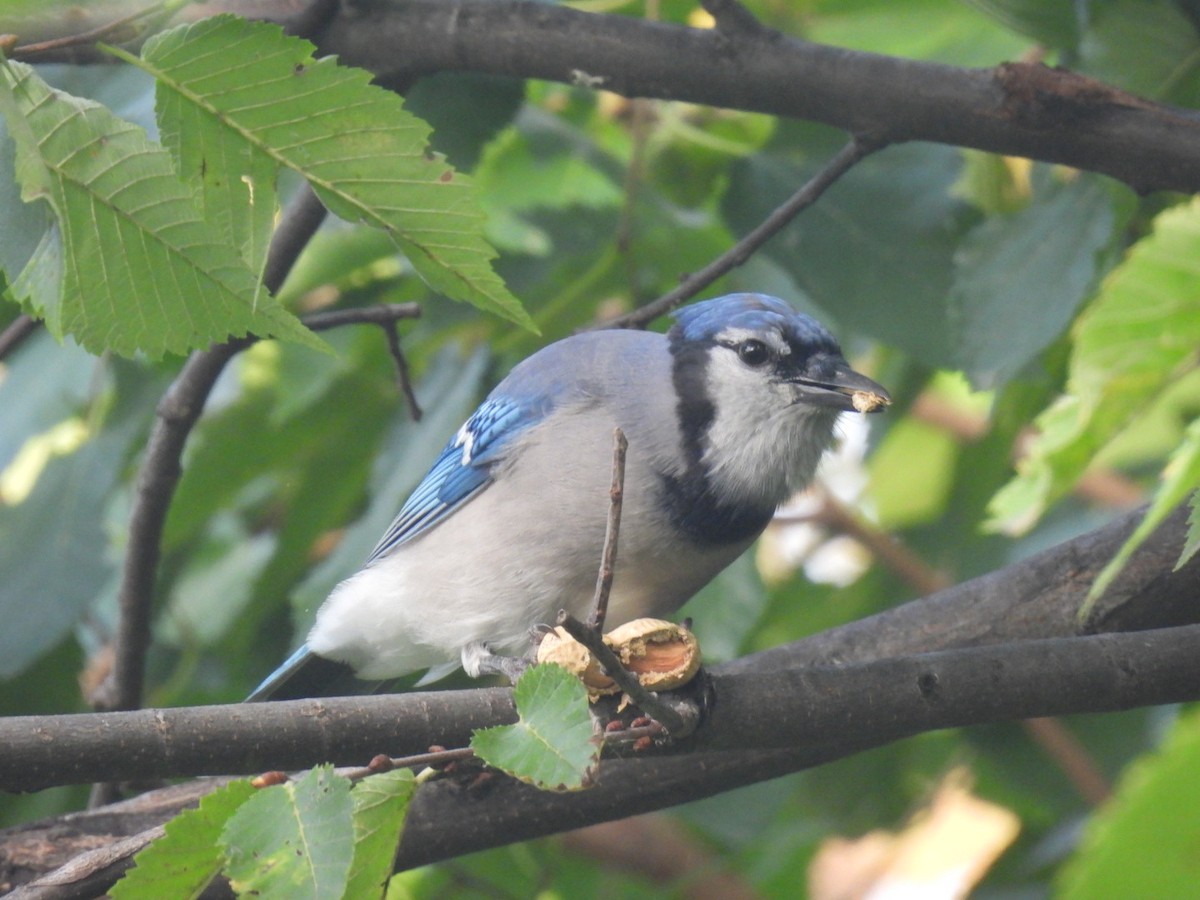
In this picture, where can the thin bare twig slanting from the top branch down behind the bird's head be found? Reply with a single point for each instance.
(847, 159)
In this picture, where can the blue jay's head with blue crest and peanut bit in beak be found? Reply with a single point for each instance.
(760, 389)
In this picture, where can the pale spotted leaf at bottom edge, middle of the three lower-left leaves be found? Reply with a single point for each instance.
(293, 841)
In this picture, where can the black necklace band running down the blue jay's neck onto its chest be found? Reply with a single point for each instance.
(688, 499)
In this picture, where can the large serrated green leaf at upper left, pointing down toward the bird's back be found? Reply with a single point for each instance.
(250, 87)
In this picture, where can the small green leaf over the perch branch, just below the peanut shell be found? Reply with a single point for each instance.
(554, 746)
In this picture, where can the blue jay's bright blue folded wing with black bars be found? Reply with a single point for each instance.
(464, 470)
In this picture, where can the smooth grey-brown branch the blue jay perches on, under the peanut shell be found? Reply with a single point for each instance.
(764, 710)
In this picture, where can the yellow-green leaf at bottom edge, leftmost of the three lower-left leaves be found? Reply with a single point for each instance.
(188, 857)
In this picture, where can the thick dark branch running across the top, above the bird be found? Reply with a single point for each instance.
(1019, 110)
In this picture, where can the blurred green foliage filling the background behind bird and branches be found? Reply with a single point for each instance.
(992, 296)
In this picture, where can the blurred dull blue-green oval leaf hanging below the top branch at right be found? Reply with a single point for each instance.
(1023, 277)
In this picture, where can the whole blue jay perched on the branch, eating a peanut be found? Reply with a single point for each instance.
(727, 416)
